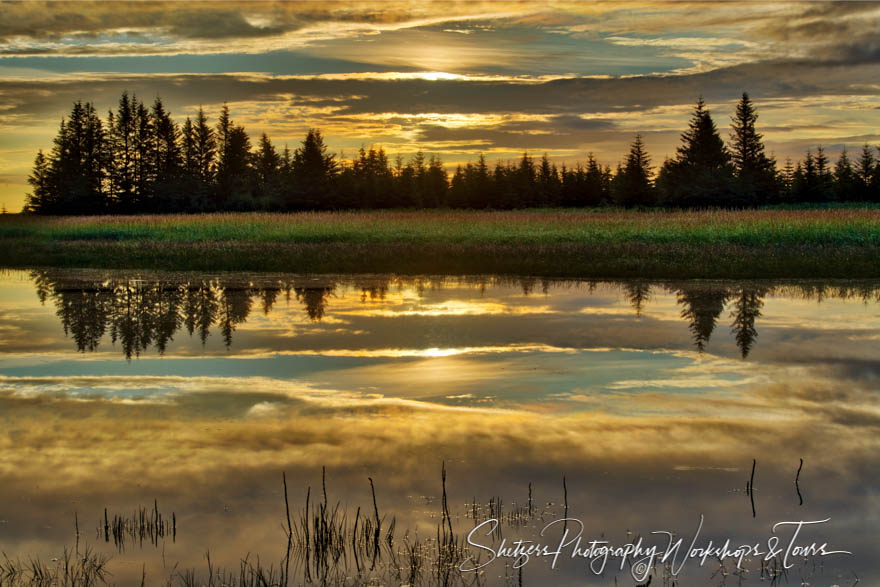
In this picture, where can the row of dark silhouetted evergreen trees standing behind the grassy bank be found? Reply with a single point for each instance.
(139, 160)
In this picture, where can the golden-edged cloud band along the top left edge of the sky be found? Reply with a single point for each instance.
(138, 28)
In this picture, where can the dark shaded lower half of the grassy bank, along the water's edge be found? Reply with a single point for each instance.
(626, 260)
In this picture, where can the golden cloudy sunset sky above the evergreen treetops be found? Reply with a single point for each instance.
(453, 79)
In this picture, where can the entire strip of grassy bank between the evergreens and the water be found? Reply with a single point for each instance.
(658, 244)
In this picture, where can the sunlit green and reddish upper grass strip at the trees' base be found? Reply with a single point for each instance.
(849, 226)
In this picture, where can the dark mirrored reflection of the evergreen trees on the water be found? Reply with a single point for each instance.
(145, 312)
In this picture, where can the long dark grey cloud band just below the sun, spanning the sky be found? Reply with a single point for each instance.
(564, 98)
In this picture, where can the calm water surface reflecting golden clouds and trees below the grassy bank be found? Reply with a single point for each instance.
(194, 392)
